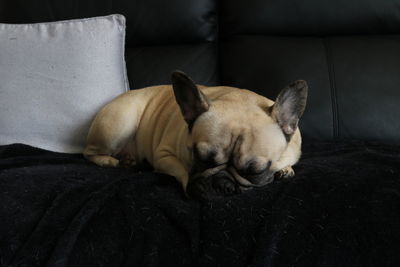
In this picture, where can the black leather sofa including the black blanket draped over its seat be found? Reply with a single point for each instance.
(341, 209)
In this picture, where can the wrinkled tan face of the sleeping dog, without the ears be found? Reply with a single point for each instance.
(245, 147)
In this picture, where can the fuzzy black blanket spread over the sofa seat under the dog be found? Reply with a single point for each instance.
(341, 209)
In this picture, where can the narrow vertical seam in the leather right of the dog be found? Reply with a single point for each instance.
(332, 82)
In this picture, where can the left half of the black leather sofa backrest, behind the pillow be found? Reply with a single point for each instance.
(161, 35)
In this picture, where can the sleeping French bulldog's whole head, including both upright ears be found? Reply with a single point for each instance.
(238, 136)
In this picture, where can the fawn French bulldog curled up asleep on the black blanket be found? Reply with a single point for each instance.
(211, 139)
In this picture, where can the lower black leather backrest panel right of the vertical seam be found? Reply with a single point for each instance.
(367, 78)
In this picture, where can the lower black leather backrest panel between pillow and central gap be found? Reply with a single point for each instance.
(152, 65)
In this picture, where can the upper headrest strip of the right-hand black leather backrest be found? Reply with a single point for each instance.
(310, 17)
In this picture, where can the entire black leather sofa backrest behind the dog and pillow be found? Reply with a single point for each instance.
(347, 50)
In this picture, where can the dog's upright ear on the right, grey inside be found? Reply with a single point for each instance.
(289, 106)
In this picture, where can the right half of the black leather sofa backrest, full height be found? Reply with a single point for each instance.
(347, 50)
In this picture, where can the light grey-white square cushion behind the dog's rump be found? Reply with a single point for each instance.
(55, 76)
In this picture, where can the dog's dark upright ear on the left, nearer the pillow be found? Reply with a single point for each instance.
(189, 97)
